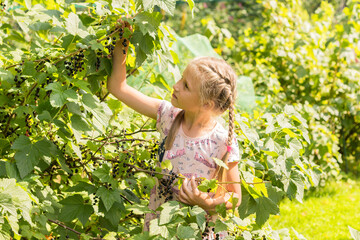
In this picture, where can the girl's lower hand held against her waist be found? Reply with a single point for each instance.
(192, 196)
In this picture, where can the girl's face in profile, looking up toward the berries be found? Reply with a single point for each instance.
(186, 94)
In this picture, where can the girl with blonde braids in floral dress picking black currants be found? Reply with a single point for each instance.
(192, 136)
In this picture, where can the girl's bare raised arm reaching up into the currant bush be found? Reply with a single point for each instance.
(118, 87)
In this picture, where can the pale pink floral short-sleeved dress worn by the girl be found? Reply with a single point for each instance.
(189, 156)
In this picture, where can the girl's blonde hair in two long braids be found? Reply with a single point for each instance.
(218, 84)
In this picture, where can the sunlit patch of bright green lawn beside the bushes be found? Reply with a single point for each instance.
(325, 213)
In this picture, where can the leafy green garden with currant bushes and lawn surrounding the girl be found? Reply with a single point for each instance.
(76, 163)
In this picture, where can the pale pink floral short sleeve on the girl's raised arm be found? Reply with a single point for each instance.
(165, 116)
